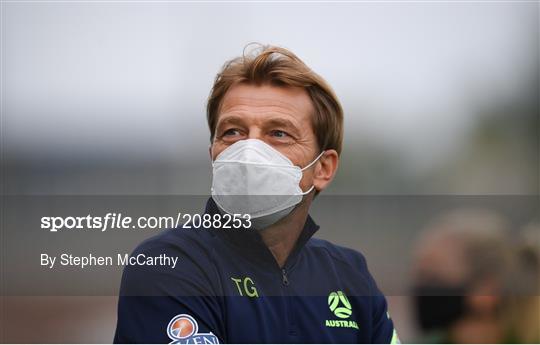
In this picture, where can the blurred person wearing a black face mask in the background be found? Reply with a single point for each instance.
(460, 272)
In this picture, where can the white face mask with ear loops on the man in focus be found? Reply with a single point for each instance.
(251, 177)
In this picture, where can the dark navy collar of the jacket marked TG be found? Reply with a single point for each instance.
(249, 241)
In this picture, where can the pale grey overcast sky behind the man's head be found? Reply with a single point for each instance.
(132, 78)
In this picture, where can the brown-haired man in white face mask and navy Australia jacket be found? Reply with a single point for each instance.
(276, 134)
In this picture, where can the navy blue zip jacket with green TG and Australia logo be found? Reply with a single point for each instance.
(228, 288)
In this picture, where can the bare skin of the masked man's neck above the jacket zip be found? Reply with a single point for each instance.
(281, 237)
